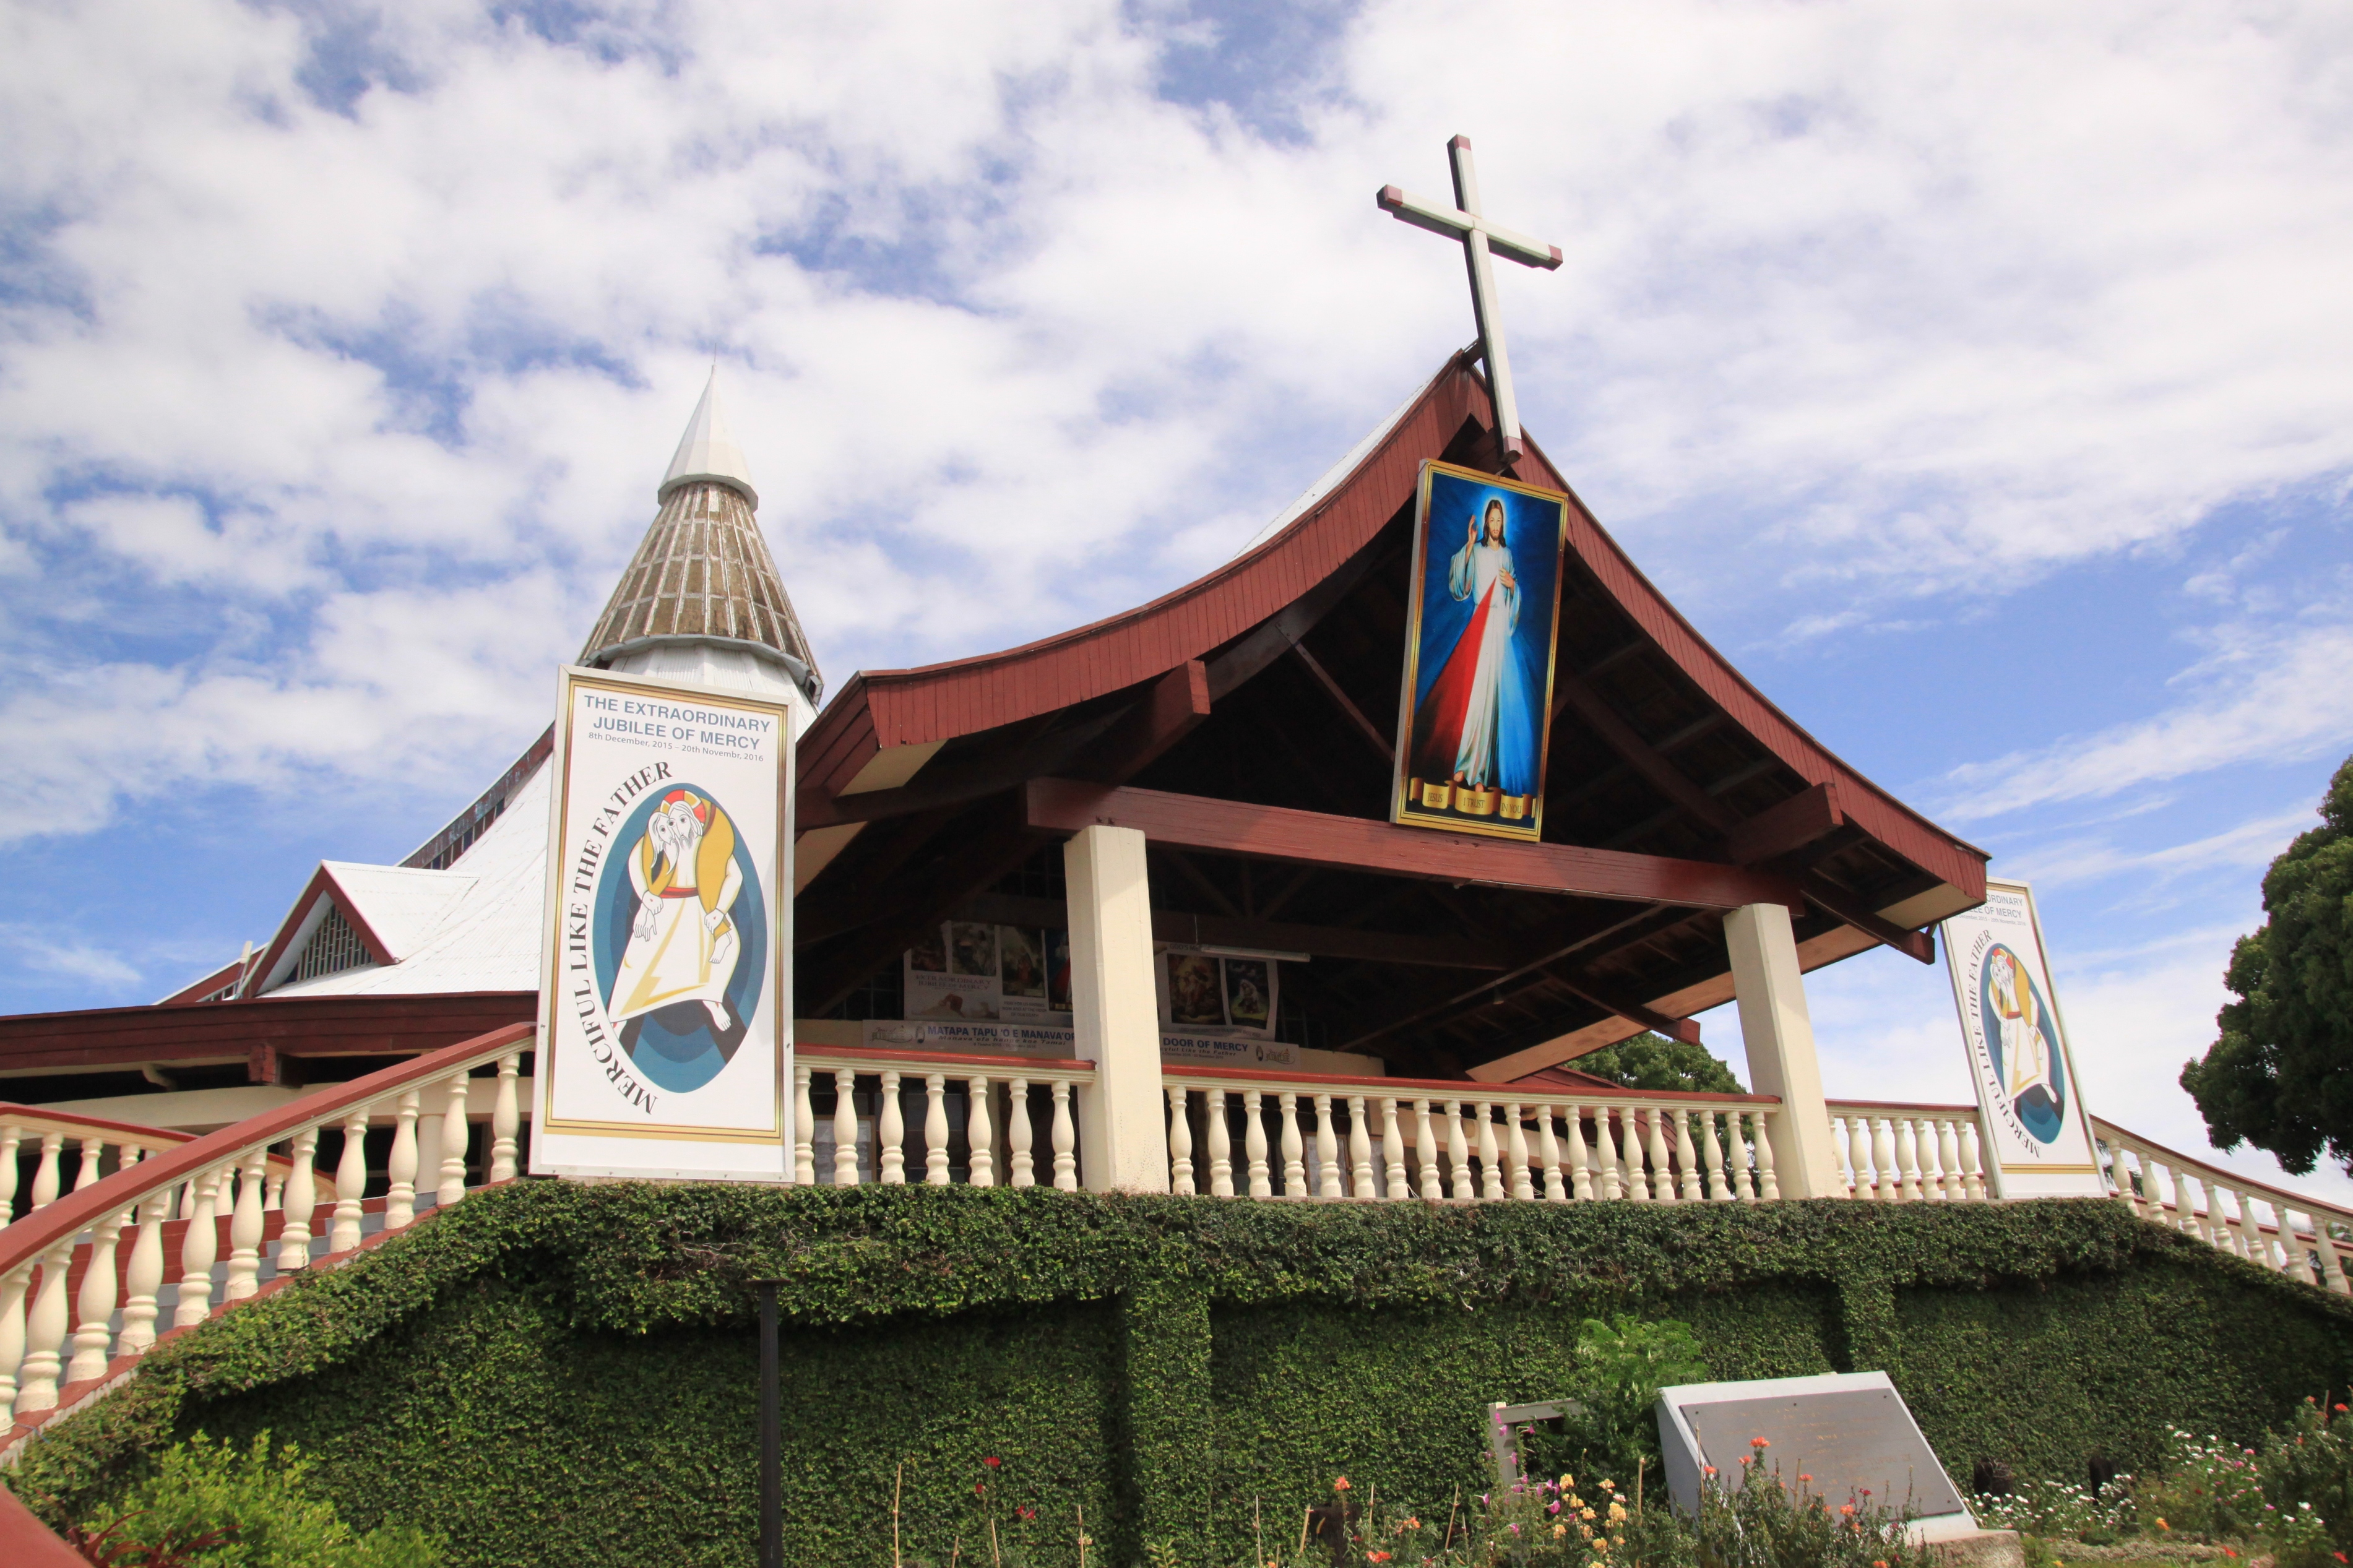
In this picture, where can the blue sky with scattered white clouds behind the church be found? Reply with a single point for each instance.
(1971, 373)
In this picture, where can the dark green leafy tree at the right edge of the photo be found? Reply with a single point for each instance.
(2281, 1075)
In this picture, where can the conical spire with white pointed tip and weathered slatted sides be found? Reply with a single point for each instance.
(702, 583)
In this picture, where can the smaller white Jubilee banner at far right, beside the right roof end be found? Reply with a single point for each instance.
(2039, 1134)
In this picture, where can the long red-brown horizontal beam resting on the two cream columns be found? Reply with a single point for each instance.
(1314, 839)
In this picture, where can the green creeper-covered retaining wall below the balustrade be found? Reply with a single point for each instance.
(566, 1374)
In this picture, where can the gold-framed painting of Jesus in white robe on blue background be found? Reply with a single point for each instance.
(1479, 653)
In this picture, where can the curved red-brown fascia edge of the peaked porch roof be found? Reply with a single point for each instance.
(928, 705)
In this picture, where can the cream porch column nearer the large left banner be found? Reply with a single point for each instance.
(1116, 1011)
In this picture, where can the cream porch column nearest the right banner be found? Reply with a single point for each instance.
(1780, 1037)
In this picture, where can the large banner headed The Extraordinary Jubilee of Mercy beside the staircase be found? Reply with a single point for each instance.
(665, 997)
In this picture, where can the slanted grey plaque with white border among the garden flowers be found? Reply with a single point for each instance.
(1848, 1430)
